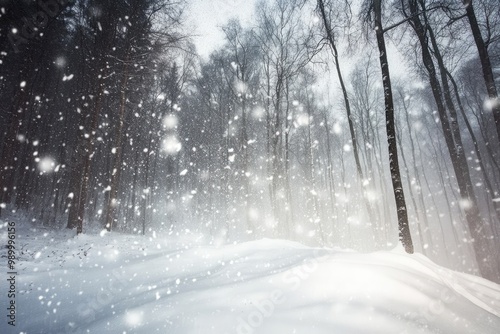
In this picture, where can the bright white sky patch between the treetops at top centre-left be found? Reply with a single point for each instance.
(207, 16)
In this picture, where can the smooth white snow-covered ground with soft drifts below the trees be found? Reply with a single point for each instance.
(116, 283)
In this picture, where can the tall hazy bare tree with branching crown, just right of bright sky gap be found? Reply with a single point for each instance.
(288, 45)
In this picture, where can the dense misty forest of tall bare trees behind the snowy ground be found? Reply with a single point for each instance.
(329, 122)
